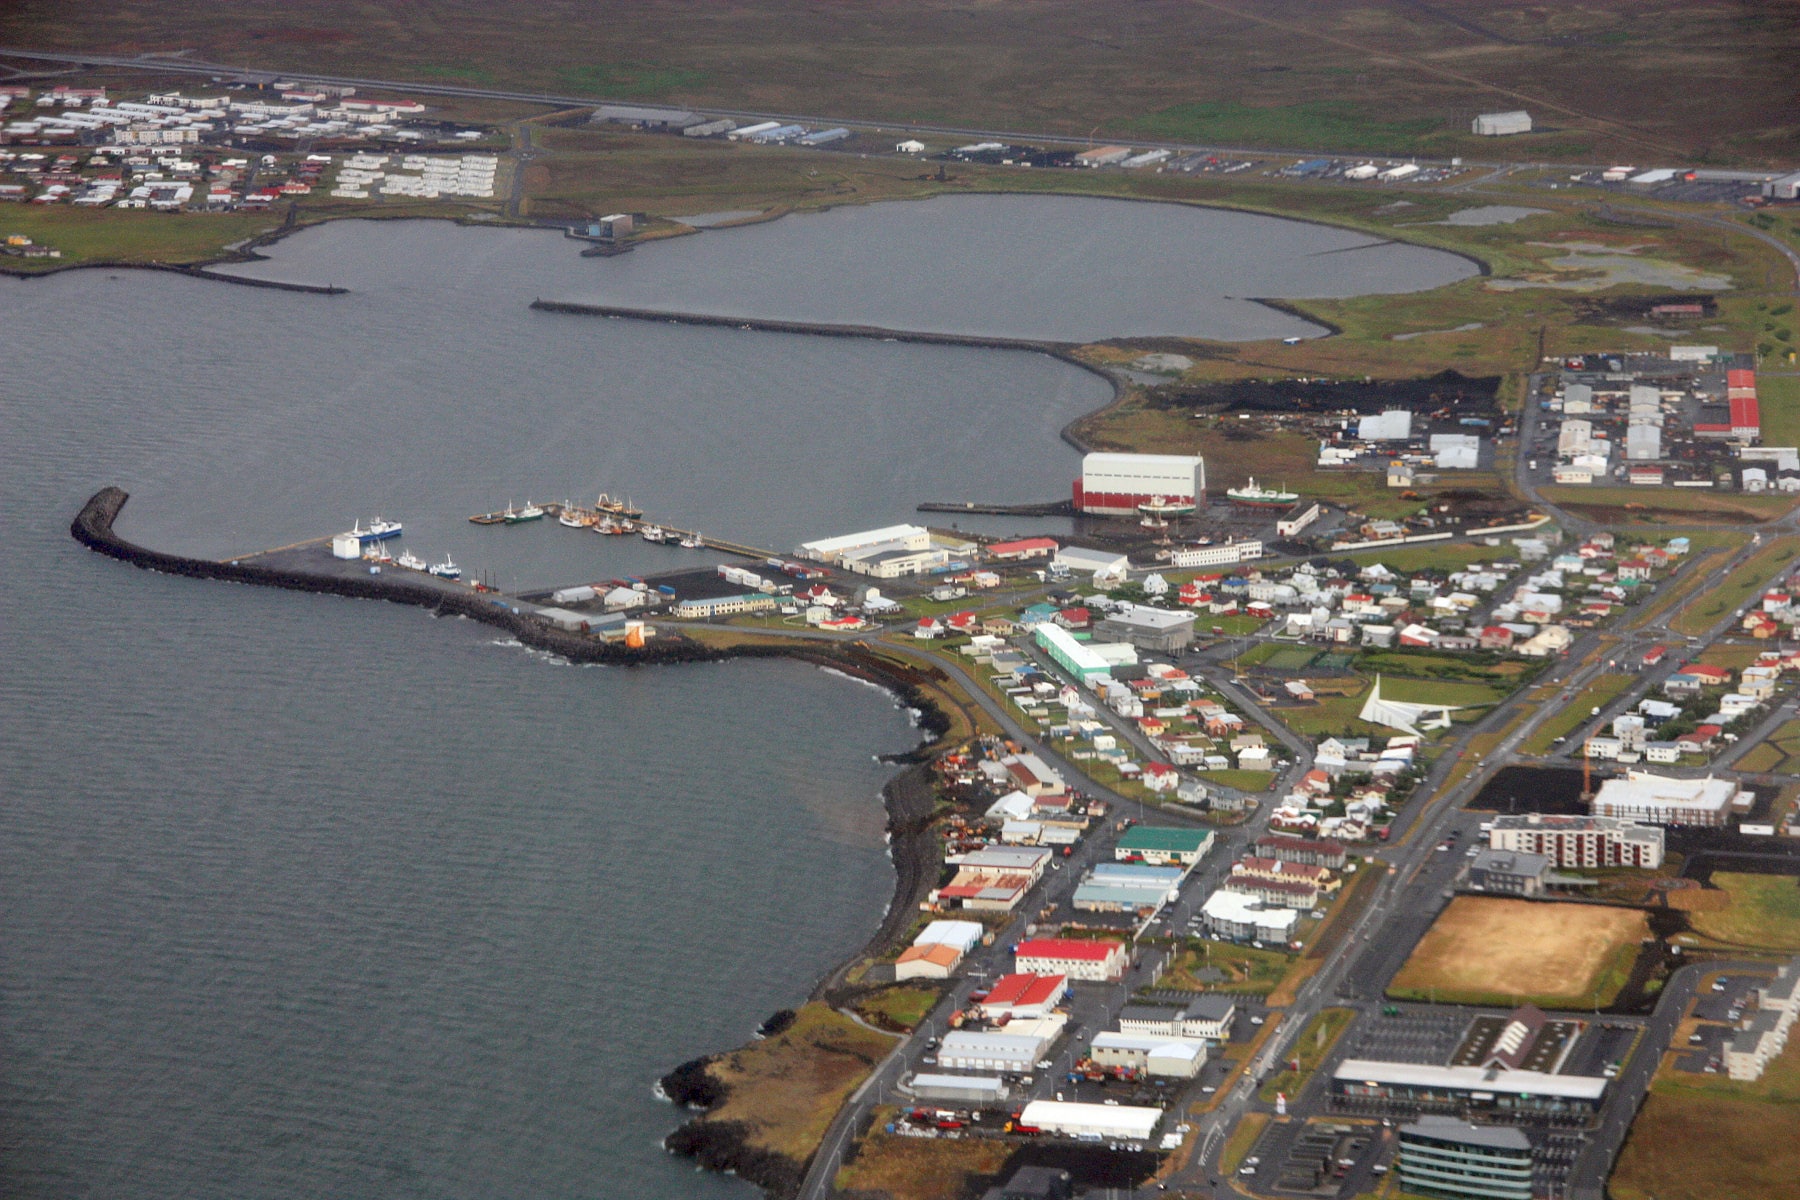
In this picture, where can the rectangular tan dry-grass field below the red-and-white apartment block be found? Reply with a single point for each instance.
(1489, 951)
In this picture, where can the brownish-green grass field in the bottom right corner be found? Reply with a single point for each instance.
(1705, 1138)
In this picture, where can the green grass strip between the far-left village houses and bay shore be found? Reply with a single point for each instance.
(129, 237)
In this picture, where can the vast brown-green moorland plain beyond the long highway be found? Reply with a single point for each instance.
(1606, 80)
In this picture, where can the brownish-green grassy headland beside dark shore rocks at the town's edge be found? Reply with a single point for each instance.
(789, 1088)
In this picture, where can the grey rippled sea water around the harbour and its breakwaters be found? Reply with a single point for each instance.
(314, 897)
